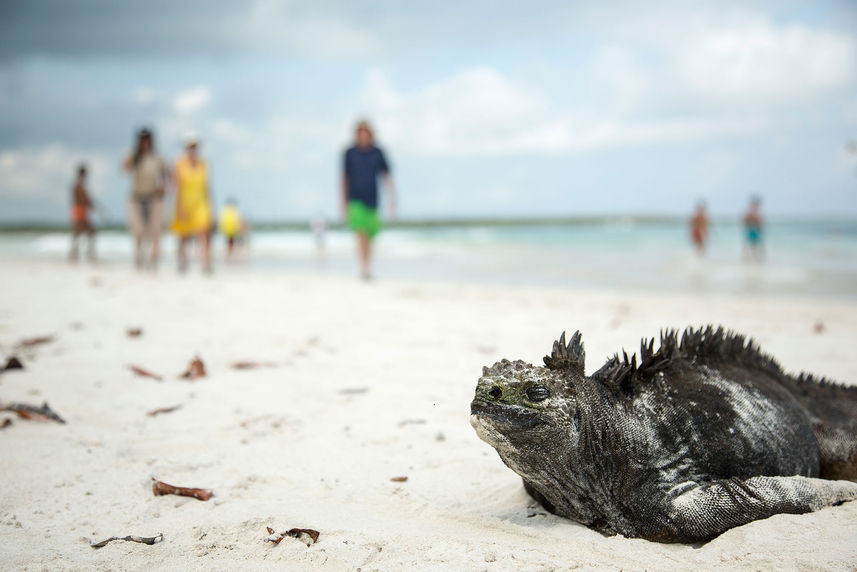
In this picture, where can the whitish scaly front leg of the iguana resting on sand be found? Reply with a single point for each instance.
(699, 512)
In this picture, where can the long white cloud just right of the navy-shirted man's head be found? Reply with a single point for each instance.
(481, 112)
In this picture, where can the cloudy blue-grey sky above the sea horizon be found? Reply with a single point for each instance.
(484, 108)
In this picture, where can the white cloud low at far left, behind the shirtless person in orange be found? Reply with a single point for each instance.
(48, 171)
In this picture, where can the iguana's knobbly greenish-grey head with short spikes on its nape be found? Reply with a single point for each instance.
(521, 407)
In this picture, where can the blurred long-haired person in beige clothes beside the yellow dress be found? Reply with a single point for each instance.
(146, 208)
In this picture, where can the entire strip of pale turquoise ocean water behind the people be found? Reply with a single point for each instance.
(809, 258)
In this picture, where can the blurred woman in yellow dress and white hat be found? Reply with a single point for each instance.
(193, 211)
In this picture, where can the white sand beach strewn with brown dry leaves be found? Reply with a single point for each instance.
(360, 384)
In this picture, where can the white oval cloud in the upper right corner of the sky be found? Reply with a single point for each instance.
(757, 60)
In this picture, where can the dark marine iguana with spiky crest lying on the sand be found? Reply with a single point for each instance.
(704, 434)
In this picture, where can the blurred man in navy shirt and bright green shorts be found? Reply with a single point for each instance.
(363, 164)
